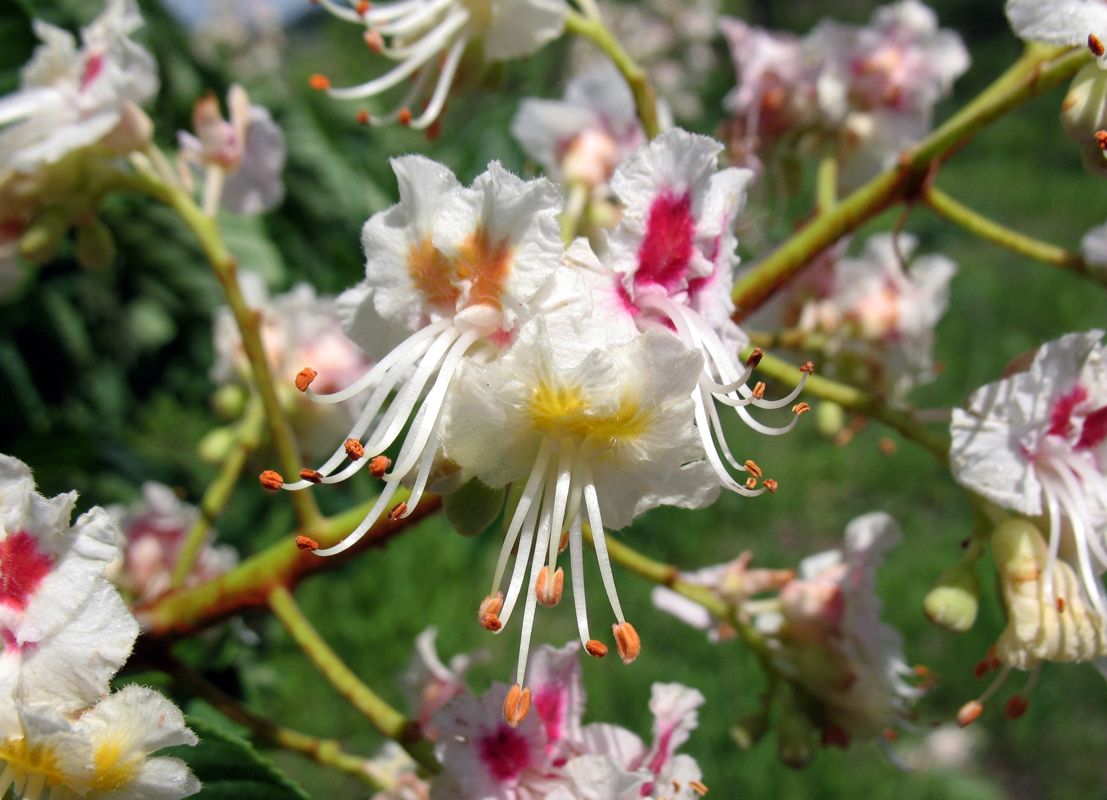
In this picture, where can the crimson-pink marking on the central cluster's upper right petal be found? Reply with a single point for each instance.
(668, 245)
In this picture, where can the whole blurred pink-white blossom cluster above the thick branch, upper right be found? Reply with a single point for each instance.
(867, 91)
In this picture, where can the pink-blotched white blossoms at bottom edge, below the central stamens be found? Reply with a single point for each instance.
(553, 755)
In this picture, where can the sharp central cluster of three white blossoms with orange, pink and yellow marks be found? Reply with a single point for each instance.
(588, 383)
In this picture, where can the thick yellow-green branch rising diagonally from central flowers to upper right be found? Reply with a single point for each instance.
(1039, 70)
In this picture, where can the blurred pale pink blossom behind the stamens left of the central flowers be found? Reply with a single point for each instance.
(298, 328)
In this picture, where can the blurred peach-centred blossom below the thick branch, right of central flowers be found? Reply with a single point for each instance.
(884, 306)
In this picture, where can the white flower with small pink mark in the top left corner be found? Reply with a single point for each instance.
(71, 97)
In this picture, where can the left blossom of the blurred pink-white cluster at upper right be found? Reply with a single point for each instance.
(775, 97)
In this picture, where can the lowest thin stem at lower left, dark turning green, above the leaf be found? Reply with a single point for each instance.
(328, 753)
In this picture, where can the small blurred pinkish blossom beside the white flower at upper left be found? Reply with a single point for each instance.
(242, 160)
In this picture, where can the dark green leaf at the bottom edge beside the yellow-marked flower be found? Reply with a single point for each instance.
(232, 770)
